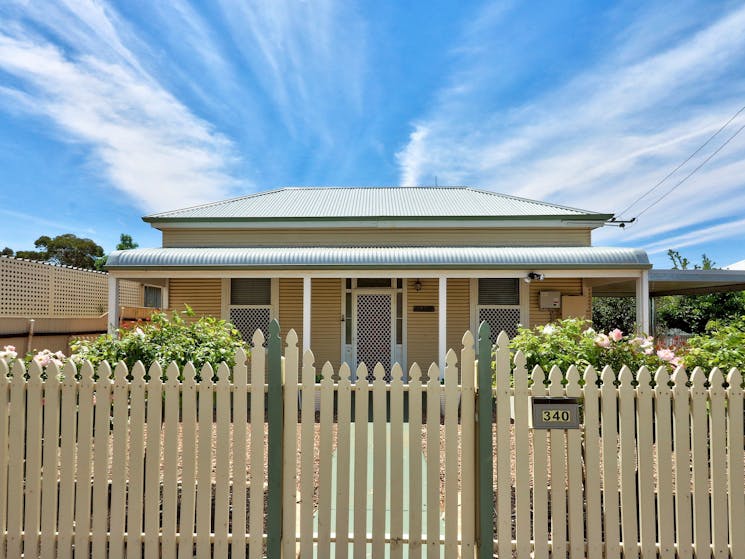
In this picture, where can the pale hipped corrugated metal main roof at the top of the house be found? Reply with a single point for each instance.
(373, 202)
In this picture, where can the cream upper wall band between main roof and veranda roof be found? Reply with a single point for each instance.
(367, 237)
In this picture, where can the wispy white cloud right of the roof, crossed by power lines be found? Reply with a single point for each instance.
(605, 135)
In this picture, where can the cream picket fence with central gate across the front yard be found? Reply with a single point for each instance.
(112, 465)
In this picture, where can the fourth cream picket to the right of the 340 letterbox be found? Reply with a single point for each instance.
(645, 460)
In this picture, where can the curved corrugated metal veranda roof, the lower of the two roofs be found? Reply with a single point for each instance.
(379, 257)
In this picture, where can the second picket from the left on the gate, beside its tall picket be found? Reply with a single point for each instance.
(307, 418)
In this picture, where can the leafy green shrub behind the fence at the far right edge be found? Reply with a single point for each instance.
(722, 345)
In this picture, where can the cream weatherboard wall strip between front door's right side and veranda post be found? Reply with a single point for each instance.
(422, 326)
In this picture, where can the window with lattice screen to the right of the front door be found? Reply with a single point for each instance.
(499, 305)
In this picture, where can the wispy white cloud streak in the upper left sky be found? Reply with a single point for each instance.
(94, 90)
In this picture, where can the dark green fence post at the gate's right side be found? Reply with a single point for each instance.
(484, 451)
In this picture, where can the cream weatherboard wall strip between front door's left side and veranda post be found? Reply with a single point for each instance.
(326, 321)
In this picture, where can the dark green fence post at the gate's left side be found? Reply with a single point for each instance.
(275, 406)
